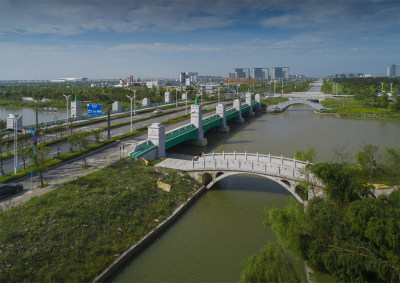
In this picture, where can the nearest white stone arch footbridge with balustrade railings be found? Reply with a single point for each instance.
(213, 167)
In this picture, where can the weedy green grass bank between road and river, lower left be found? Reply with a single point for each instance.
(74, 232)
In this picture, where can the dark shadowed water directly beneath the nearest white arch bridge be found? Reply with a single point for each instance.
(250, 183)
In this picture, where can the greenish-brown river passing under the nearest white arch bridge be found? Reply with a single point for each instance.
(209, 242)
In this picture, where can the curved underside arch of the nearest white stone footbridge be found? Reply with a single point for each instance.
(283, 182)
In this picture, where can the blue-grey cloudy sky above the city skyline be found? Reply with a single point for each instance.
(48, 39)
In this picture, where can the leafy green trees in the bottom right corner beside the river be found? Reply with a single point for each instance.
(351, 234)
